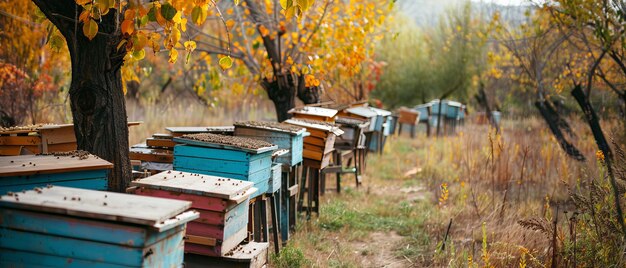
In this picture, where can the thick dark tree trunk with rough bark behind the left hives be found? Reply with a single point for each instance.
(96, 95)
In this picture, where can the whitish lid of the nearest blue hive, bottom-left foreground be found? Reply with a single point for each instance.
(156, 212)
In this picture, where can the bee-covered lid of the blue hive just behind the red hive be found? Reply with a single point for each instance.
(227, 142)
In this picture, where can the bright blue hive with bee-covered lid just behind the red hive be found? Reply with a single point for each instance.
(226, 156)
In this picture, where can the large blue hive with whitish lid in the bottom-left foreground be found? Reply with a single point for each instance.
(59, 226)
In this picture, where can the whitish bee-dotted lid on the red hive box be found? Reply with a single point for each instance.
(198, 184)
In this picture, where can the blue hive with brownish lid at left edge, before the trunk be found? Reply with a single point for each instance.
(81, 170)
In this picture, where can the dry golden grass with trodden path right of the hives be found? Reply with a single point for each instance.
(485, 183)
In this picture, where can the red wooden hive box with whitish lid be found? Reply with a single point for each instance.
(221, 202)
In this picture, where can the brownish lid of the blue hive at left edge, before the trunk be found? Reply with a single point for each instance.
(23, 165)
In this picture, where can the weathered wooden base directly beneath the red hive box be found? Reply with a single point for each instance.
(249, 255)
